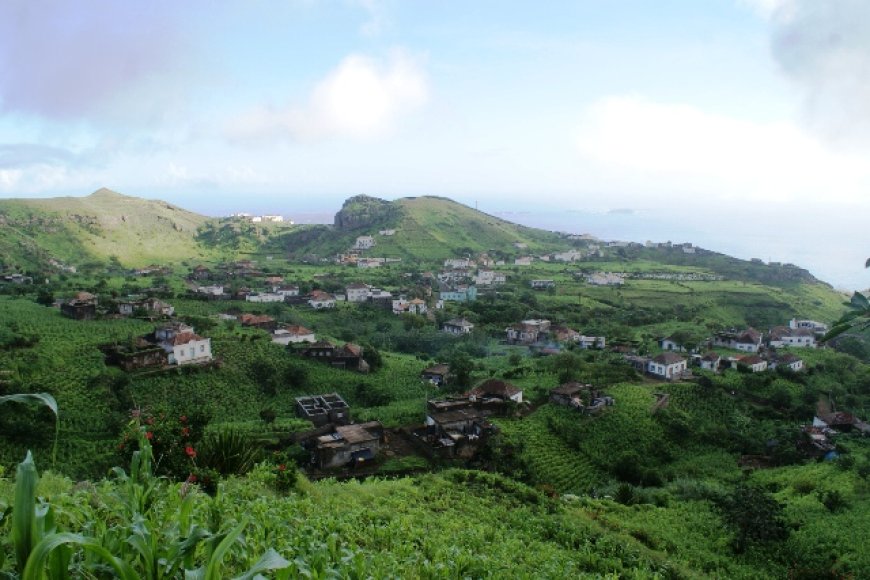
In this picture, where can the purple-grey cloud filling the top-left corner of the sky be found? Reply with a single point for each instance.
(68, 60)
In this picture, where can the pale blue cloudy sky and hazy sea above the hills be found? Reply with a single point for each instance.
(757, 111)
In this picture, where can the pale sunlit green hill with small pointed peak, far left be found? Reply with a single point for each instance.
(75, 230)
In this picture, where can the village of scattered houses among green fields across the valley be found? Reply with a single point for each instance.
(575, 366)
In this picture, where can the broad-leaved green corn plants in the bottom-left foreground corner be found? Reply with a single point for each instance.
(146, 542)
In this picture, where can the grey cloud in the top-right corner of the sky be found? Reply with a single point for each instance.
(824, 48)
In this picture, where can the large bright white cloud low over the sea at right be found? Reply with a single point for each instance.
(727, 159)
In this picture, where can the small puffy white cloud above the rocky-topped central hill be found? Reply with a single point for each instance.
(363, 98)
